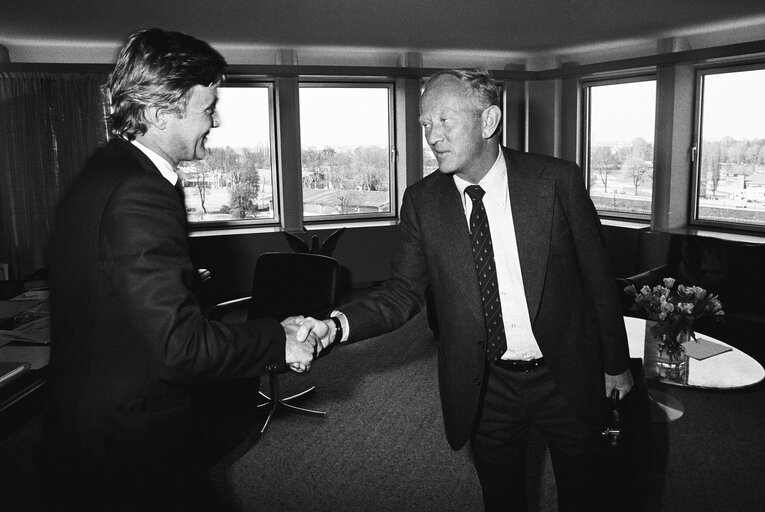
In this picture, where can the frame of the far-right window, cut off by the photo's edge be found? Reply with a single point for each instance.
(702, 71)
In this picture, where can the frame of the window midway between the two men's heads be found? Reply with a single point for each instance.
(317, 221)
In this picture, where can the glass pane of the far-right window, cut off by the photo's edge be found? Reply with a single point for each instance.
(732, 164)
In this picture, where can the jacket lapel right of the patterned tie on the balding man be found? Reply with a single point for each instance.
(532, 200)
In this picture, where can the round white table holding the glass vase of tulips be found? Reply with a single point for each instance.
(730, 370)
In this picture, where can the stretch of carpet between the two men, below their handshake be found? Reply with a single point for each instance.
(381, 447)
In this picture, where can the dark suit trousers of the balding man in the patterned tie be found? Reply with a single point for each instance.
(514, 402)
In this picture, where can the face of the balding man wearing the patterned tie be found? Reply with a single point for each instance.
(453, 126)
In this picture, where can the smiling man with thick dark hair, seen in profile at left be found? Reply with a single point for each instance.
(128, 336)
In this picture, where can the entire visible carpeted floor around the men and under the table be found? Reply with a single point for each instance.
(382, 446)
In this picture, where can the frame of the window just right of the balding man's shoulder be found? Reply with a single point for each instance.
(586, 85)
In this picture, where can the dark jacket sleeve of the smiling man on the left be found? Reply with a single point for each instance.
(144, 241)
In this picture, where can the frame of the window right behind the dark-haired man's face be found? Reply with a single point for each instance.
(233, 225)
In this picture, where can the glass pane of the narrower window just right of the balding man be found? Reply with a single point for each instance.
(620, 147)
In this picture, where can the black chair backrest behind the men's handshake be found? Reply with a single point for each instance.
(286, 284)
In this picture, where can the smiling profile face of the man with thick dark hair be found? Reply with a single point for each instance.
(188, 133)
